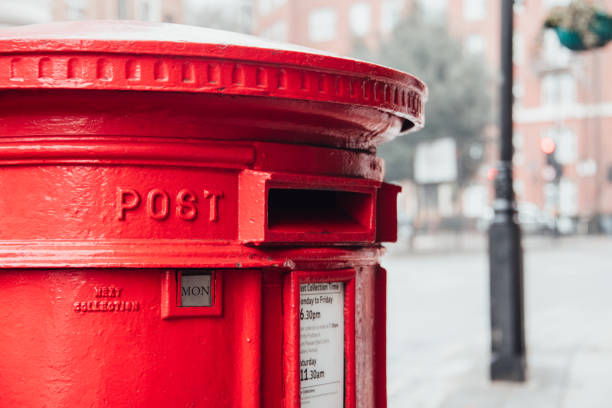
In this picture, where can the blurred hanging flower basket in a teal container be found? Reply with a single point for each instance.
(580, 26)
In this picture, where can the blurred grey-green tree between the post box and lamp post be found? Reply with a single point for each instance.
(459, 100)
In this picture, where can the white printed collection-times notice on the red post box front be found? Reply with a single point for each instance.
(322, 345)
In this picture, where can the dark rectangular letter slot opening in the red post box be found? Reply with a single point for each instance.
(319, 211)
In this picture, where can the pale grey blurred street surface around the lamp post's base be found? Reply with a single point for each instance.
(438, 325)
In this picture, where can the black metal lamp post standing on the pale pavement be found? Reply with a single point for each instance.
(508, 360)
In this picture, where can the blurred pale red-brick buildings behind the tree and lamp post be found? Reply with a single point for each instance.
(559, 94)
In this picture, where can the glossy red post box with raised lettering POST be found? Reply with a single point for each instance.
(192, 220)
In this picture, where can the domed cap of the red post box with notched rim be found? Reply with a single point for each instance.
(139, 56)
